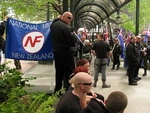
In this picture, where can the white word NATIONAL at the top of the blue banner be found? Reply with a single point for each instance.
(23, 25)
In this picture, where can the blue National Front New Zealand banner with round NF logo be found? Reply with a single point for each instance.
(27, 41)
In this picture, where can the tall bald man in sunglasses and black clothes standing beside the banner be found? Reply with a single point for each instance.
(64, 49)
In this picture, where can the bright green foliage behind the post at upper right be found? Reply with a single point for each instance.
(130, 12)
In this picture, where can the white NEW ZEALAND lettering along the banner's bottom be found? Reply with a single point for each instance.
(33, 56)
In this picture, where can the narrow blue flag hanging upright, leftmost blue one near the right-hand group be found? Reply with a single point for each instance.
(120, 37)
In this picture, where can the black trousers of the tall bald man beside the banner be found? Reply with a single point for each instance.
(64, 65)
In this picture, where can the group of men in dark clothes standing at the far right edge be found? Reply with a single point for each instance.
(137, 55)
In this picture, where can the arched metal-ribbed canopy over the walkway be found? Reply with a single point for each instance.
(90, 13)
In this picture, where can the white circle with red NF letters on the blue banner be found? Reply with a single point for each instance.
(33, 42)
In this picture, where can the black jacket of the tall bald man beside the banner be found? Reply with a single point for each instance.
(62, 36)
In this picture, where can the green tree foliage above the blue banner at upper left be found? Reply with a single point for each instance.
(32, 10)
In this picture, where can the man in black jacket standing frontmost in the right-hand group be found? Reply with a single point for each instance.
(133, 60)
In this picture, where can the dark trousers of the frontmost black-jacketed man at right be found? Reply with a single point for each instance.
(131, 72)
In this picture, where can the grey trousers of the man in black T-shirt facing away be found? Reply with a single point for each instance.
(100, 66)
